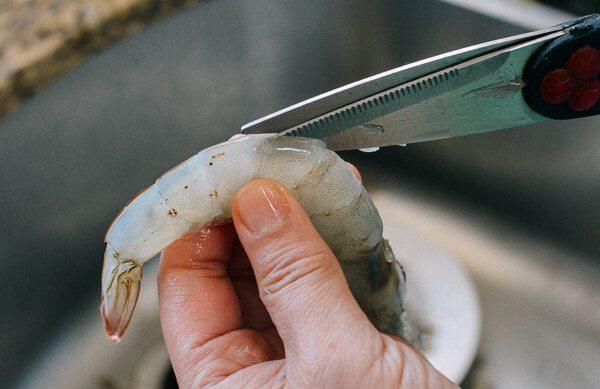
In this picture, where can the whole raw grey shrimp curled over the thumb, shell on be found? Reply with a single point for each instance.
(198, 193)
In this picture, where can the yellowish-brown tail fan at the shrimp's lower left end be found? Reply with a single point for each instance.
(121, 287)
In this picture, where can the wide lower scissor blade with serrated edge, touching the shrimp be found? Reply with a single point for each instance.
(477, 96)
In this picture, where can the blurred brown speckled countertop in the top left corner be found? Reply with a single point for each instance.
(39, 39)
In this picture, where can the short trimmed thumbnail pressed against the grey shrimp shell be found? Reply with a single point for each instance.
(262, 207)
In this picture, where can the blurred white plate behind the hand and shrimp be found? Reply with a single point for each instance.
(441, 296)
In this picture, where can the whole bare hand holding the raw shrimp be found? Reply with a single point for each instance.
(263, 302)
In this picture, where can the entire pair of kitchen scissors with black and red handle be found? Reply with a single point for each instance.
(551, 73)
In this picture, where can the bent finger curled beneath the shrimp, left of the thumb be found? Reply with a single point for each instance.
(196, 298)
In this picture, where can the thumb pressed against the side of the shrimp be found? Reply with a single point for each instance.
(299, 278)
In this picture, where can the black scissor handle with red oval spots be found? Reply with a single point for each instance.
(562, 79)
